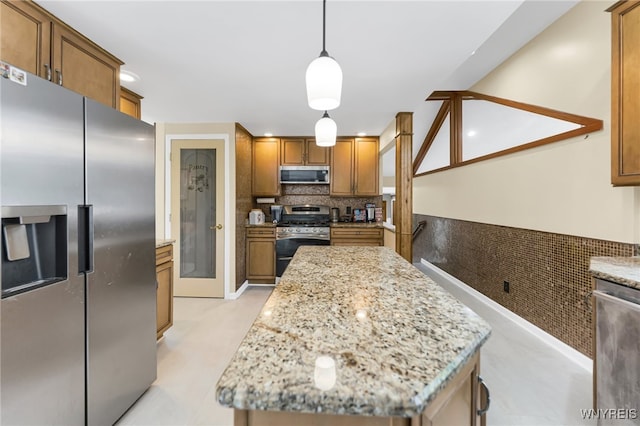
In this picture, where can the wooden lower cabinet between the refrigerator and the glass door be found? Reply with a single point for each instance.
(164, 298)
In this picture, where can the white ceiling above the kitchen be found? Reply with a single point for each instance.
(244, 61)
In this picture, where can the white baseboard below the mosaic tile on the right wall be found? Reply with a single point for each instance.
(566, 350)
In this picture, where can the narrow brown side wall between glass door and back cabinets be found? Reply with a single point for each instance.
(244, 201)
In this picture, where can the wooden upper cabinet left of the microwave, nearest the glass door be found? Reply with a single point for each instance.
(265, 167)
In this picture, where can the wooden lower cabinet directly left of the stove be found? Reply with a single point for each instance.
(261, 255)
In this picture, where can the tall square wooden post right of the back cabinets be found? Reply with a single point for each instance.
(404, 185)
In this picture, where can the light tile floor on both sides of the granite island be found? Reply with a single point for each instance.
(530, 383)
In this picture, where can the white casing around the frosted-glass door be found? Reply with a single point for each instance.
(227, 195)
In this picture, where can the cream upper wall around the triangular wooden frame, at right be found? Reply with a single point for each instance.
(563, 187)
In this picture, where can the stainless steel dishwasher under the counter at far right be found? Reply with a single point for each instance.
(617, 352)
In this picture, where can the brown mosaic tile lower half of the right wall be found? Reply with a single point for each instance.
(548, 273)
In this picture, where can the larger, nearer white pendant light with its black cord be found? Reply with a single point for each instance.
(324, 77)
